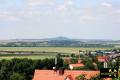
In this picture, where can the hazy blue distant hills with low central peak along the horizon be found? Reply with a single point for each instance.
(58, 41)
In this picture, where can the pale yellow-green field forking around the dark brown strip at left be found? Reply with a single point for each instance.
(65, 50)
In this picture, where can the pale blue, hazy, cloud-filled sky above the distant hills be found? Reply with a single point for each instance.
(81, 19)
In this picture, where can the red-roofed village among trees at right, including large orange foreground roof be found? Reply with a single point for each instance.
(84, 65)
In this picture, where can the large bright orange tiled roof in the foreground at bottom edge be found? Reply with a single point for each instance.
(51, 75)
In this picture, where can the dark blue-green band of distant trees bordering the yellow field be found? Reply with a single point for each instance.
(54, 44)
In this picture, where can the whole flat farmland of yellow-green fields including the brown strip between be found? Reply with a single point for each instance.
(40, 52)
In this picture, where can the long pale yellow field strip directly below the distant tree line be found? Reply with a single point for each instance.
(50, 49)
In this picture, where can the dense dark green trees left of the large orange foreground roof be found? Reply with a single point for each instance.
(23, 69)
